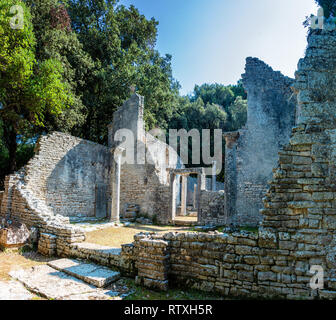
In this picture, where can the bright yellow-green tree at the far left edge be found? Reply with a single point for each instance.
(30, 91)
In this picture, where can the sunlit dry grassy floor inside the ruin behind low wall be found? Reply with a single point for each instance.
(115, 237)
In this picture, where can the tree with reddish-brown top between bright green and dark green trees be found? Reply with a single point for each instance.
(56, 40)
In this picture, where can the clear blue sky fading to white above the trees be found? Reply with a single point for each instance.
(210, 39)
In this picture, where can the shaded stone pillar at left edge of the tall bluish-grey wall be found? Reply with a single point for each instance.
(230, 180)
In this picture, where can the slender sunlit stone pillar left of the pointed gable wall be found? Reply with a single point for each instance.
(115, 210)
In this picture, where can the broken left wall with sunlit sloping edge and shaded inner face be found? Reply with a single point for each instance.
(61, 161)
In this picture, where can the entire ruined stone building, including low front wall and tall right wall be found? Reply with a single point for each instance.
(68, 176)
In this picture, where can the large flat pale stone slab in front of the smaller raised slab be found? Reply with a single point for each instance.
(53, 284)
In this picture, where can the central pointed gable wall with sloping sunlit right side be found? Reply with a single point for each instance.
(145, 185)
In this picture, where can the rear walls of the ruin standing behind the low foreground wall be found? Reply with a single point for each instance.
(71, 178)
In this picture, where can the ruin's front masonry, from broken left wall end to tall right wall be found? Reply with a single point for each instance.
(298, 229)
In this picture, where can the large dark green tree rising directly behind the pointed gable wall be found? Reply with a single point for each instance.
(121, 43)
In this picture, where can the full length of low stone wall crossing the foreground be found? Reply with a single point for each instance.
(237, 264)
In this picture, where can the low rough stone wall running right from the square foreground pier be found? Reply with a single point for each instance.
(238, 264)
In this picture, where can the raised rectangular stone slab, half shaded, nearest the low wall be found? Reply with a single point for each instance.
(91, 273)
